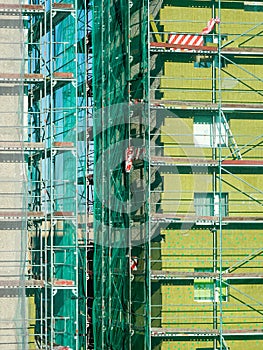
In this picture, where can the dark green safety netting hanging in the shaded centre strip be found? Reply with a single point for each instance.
(119, 77)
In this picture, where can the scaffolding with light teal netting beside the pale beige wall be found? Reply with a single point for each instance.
(53, 144)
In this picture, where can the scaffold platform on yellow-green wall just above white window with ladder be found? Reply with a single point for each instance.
(196, 105)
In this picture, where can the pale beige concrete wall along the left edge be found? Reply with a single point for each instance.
(12, 179)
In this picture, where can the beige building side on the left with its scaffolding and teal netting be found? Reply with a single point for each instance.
(44, 232)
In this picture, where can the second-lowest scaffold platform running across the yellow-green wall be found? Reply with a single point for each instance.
(182, 275)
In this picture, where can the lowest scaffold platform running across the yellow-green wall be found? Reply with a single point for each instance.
(204, 333)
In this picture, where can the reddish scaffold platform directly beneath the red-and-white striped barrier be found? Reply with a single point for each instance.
(178, 48)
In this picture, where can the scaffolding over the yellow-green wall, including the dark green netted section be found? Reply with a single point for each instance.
(178, 174)
